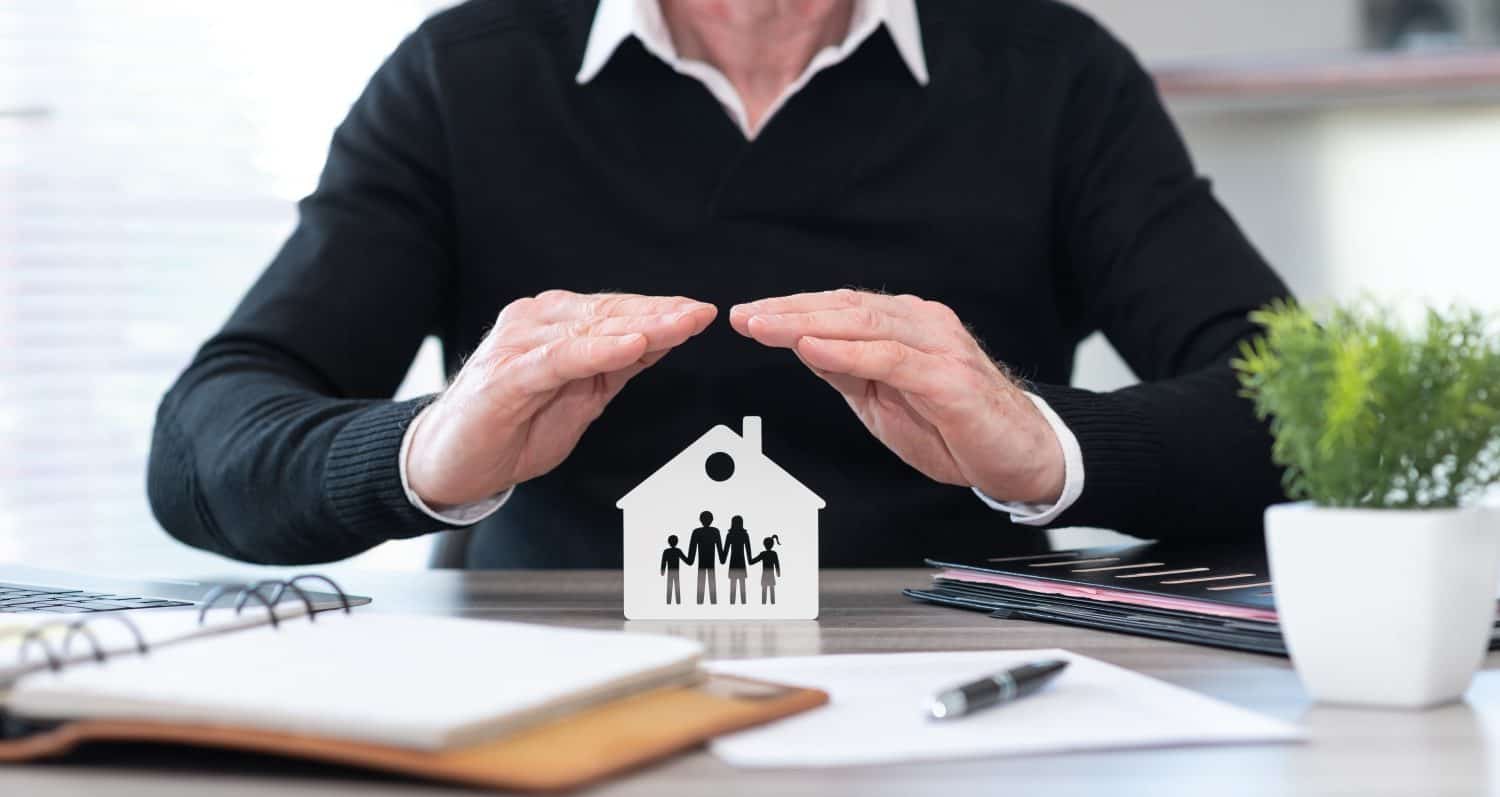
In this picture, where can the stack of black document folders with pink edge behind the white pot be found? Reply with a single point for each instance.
(1219, 597)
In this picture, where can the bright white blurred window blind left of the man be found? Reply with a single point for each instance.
(151, 158)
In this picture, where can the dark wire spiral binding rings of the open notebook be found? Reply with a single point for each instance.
(268, 594)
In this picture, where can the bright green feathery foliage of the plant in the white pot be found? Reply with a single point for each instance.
(1364, 414)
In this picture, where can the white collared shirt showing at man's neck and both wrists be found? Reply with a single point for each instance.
(619, 20)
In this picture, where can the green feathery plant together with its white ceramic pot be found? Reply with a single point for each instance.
(1385, 571)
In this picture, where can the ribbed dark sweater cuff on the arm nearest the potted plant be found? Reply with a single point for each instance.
(1121, 454)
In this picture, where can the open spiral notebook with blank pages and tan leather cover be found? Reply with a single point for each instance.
(482, 703)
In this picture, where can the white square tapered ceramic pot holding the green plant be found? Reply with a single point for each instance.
(1385, 607)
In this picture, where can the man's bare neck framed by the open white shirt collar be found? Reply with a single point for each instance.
(760, 46)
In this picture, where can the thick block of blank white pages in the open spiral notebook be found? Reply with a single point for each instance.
(400, 681)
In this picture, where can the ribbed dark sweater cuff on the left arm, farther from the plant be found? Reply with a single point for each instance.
(362, 478)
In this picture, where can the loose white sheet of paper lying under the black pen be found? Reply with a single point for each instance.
(878, 712)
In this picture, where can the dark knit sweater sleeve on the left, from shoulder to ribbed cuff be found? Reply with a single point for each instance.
(280, 442)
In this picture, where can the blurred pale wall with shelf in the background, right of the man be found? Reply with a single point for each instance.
(1354, 172)
